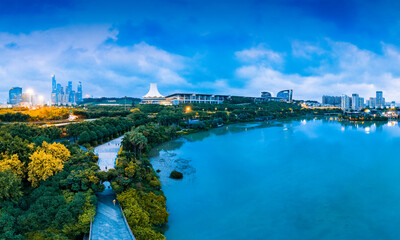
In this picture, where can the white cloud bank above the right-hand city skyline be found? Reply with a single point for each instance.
(348, 70)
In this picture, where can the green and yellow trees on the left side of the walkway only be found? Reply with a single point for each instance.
(48, 188)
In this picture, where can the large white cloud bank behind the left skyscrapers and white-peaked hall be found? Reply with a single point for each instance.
(87, 54)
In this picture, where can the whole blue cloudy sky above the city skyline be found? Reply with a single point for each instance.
(117, 48)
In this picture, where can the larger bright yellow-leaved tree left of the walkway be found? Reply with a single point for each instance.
(47, 161)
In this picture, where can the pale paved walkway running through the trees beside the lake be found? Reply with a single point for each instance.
(109, 222)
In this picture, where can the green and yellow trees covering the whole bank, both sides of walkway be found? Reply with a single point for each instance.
(48, 183)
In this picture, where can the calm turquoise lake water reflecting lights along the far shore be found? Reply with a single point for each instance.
(307, 179)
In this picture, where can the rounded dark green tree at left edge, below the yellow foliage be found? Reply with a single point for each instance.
(10, 186)
